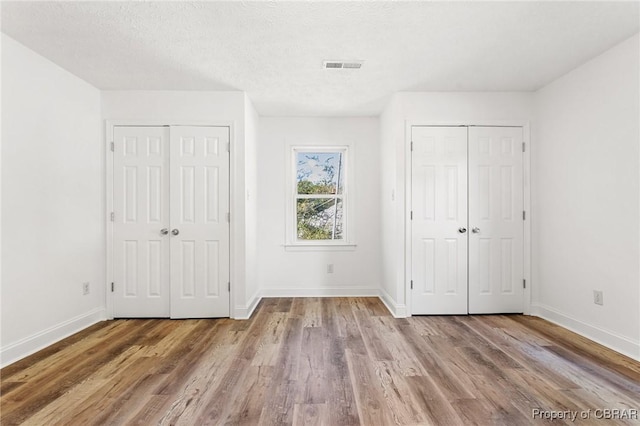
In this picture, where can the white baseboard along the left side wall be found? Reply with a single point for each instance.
(29, 345)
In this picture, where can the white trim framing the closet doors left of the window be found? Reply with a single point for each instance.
(109, 193)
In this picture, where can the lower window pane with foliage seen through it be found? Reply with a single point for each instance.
(319, 218)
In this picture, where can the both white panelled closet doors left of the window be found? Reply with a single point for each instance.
(171, 228)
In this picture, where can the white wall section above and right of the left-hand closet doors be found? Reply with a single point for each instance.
(190, 107)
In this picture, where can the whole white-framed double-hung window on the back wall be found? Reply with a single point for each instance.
(319, 204)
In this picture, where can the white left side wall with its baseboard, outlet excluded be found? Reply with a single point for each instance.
(52, 203)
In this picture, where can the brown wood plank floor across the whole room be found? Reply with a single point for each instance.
(320, 361)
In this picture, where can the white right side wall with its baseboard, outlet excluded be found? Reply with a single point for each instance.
(586, 199)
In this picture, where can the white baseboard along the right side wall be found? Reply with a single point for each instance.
(607, 338)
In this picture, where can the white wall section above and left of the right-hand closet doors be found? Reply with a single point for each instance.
(426, 107)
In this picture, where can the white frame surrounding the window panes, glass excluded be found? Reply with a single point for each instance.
(292, 241)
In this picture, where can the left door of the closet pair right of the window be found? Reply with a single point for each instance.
(438, 228)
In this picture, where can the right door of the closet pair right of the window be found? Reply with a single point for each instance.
(495, 220)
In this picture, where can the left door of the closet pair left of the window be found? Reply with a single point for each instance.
(141, 212)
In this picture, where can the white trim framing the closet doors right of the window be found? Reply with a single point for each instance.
(526, 169)
